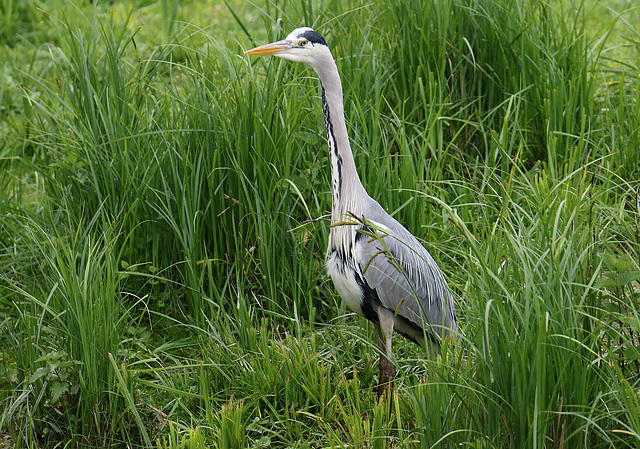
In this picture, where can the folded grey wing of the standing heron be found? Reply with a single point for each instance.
(405, 277)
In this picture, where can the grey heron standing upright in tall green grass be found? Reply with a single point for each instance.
(381, 271)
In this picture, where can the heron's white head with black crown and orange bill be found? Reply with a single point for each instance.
(302, 45)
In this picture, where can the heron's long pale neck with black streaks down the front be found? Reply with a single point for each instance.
(346, 187)
